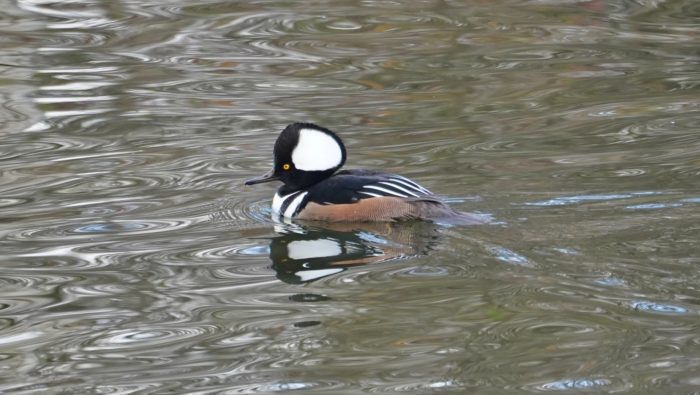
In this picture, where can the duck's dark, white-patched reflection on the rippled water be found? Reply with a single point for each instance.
(305, 253)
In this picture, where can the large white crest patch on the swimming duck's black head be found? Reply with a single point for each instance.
(316, 151)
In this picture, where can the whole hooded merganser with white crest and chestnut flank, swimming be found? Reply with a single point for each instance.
(307, 158)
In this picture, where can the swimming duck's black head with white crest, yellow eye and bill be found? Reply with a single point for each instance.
(304, 154)
